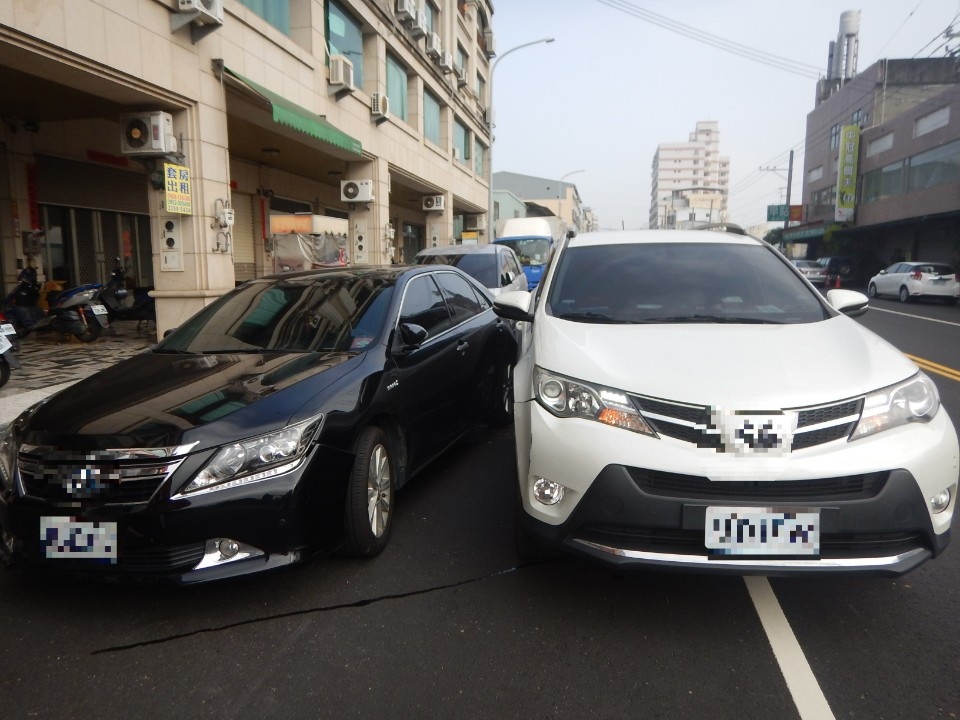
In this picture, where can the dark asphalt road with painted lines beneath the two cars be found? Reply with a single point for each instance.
(447, 624)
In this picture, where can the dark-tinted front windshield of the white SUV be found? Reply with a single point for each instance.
(680, 283)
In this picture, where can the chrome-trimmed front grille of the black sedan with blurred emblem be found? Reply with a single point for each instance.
(92, 478)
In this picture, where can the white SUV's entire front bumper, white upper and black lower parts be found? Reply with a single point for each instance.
(636, 500)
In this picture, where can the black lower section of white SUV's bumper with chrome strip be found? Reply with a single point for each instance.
(631, 517)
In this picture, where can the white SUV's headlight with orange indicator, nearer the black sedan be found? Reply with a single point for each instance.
(569, 398)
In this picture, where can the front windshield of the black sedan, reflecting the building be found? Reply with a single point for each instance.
(336, 312)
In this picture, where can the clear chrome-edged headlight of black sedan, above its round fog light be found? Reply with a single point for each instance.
(256, 459)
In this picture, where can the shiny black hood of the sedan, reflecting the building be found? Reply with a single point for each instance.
(163, 400)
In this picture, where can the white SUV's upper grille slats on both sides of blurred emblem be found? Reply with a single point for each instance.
(697, 424)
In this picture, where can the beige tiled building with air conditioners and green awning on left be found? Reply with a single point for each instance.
(192, 137)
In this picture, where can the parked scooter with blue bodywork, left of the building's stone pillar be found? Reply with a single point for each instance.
(74, 311)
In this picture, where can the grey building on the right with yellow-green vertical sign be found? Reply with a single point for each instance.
(892, 135)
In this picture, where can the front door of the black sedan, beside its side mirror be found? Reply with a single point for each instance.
(426, 393)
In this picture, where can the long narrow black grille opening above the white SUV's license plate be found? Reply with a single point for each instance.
(693, 487)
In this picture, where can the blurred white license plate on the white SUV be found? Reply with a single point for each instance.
(762, 531)
